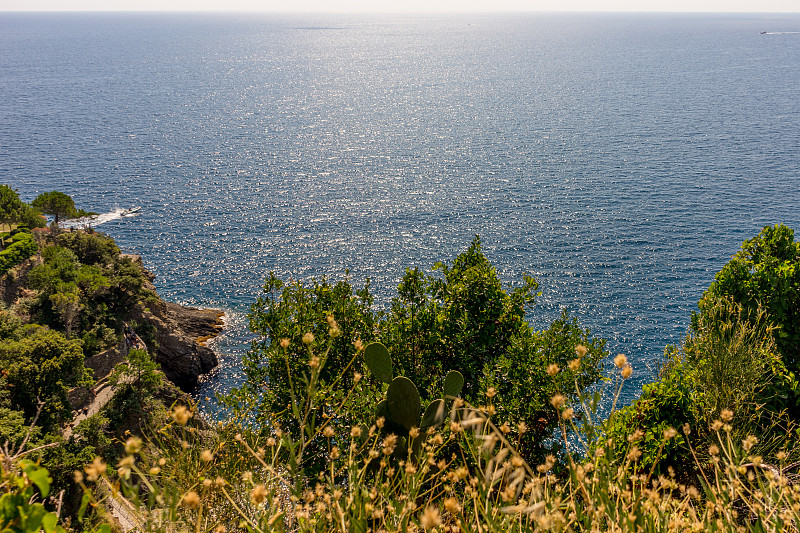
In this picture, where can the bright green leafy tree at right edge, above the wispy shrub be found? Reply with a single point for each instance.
(765, 274)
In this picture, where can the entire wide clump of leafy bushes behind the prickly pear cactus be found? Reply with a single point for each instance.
(461, 320)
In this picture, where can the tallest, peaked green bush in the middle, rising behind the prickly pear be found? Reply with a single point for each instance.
(460, 320)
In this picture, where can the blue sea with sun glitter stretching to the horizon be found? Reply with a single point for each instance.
(620, 159)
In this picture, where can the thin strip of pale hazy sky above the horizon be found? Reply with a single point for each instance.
(368, 6)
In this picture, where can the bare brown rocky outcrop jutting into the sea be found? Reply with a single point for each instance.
(180, 334)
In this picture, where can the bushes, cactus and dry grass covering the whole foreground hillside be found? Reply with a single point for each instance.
(445, 412)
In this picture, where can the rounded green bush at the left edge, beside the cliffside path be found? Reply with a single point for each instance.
(41, 365)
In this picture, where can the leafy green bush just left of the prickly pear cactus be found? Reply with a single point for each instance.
(290, 311)
